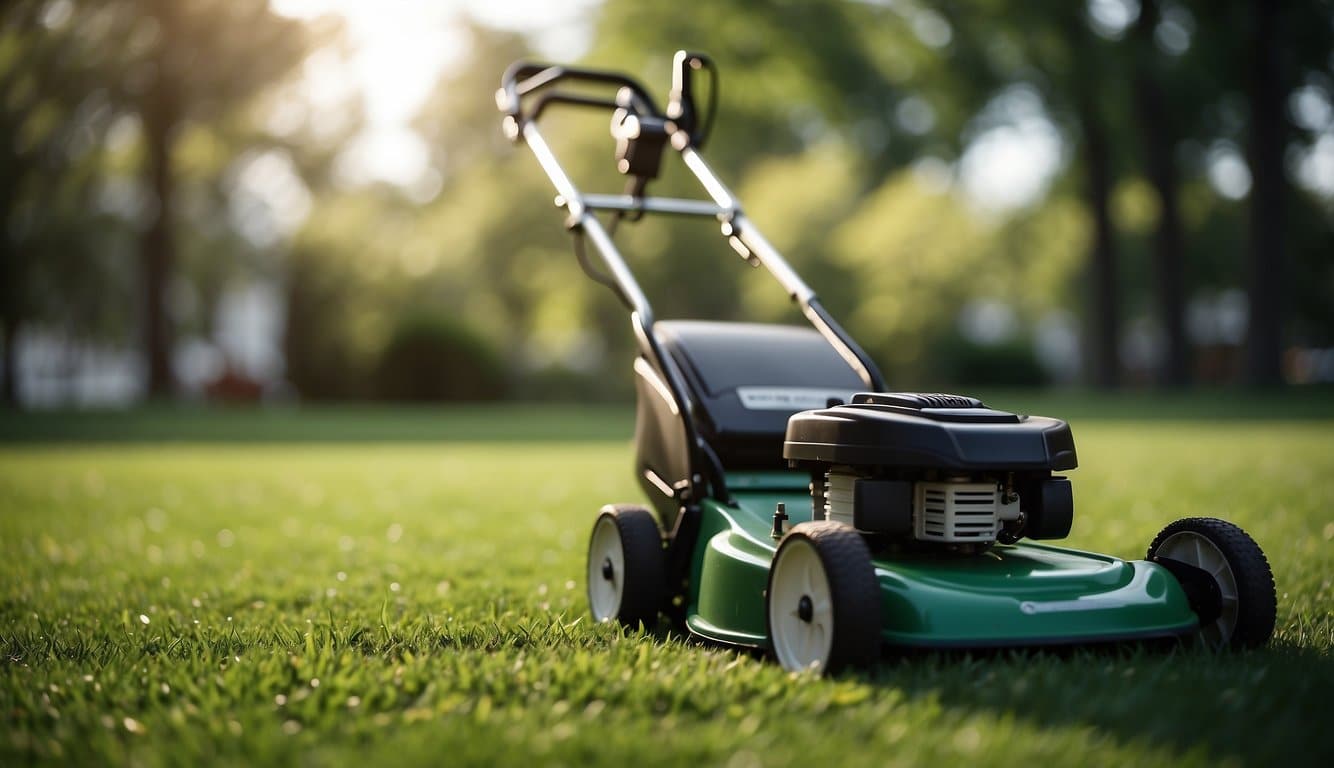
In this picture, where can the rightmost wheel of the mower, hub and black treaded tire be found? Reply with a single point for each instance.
(1227, 579)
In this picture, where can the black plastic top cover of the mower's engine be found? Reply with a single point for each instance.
(965, 439)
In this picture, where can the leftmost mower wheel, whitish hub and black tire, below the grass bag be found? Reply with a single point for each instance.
(626, 589)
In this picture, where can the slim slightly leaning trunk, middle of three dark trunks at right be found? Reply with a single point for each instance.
(1160, 146)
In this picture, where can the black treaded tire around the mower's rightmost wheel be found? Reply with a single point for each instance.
(1255, 605)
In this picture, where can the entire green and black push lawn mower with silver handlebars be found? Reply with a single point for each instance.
(800, 507)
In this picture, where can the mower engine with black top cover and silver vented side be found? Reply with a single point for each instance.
(936, 469)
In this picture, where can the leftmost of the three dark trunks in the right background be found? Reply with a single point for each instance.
(1105, 366)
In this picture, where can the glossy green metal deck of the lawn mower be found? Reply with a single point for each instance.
(1025, 594)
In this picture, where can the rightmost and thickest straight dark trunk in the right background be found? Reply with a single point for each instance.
(1265, 337)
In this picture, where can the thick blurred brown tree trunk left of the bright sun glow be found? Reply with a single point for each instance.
(158, 246)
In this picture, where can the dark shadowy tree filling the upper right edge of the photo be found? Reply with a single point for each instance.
(1255, 62)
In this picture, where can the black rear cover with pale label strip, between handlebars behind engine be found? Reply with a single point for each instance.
(748, 379)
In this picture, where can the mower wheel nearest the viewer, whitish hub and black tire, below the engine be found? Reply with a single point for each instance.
(853, 618)
